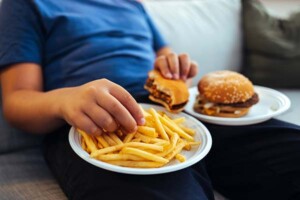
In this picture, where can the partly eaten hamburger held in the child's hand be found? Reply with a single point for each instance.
(172, 94)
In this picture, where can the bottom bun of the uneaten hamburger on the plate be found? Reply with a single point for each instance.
(221, 111)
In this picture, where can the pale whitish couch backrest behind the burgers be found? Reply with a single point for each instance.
(209, 30)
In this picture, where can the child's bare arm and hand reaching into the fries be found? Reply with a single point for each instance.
(92, 107)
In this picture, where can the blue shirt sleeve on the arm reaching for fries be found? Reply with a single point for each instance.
(21, 34)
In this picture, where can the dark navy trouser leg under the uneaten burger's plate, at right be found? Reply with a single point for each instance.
(260, 161)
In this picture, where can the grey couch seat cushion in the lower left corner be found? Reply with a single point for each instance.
(24, 175)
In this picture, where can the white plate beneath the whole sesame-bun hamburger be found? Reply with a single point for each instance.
(271, 103)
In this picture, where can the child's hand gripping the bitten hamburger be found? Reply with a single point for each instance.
(175, 66)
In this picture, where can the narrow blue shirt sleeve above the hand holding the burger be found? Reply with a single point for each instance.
(158, 39)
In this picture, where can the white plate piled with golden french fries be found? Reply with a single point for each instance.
(167, 142)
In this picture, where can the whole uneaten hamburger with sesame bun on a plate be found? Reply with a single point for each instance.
(225, 94)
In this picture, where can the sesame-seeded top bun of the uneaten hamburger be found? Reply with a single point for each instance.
(225, 87)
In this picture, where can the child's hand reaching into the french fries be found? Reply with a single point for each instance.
(100, 106)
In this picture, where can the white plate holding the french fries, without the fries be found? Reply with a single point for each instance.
(192, 156)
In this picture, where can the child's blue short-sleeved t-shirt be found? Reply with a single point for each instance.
(76, 41)
